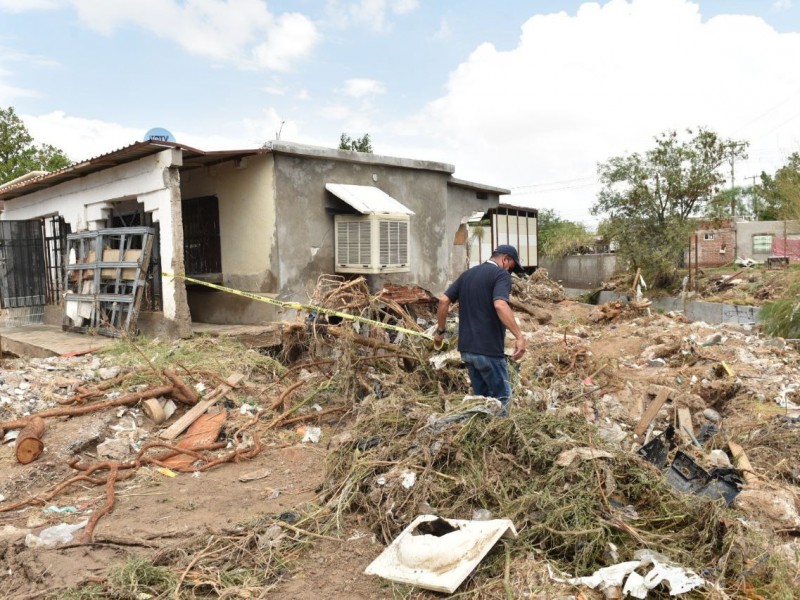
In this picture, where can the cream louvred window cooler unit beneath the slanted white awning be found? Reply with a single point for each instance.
(371, 243)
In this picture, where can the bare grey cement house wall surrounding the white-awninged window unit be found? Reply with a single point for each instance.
(305, 216)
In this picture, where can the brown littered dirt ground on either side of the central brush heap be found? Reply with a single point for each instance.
(605, 367)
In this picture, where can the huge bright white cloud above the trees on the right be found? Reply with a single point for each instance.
(580, 89)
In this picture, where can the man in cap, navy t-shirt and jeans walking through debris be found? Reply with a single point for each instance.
(484, 314)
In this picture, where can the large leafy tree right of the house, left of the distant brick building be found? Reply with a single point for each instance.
(648, 199)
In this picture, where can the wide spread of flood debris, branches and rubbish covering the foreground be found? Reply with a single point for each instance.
(642, 454)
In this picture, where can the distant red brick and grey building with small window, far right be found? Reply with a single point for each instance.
(721, 242)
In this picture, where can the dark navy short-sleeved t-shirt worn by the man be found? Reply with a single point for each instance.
(480, 330)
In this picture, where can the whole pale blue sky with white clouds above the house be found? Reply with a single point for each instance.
(524, 95)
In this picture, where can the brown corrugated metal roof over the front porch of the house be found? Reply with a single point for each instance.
(192, 157)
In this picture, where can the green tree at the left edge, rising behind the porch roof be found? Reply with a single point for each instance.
(18, 153)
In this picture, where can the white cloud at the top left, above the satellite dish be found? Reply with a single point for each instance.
(241, 32)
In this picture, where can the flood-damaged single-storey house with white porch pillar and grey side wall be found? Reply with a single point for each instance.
(268, 221)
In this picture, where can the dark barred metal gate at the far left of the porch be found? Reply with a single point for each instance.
(23, 272)
